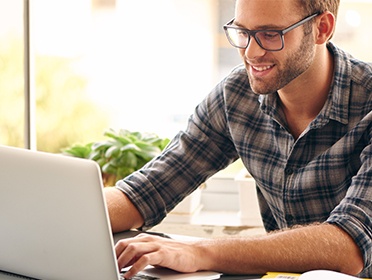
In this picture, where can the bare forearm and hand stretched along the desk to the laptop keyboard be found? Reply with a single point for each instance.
(313, 247)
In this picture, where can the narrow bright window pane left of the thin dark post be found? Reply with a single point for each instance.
(11, 73)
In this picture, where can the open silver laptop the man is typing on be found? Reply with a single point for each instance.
(54, 220)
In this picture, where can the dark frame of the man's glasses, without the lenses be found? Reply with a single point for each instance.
(252, 33)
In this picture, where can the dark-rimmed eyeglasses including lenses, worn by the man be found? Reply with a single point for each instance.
(270, 40)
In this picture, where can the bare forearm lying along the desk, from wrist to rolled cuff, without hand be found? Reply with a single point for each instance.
(301, 249)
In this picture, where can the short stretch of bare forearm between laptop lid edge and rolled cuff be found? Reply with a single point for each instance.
(123, 214)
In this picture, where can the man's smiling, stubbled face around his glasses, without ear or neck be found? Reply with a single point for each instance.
(272, 71)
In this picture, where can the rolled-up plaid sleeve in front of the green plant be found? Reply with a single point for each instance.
(190, 158)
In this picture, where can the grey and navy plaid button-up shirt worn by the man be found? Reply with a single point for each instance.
(324, 175)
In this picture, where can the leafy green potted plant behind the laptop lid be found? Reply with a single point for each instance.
(123, 153)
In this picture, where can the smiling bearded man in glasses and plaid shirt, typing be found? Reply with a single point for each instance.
(298, 115)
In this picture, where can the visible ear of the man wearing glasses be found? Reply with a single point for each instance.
(325, 26)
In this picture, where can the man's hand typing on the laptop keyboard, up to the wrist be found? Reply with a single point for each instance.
(146, 249)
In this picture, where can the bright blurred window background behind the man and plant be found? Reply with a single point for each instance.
(137, 65)
